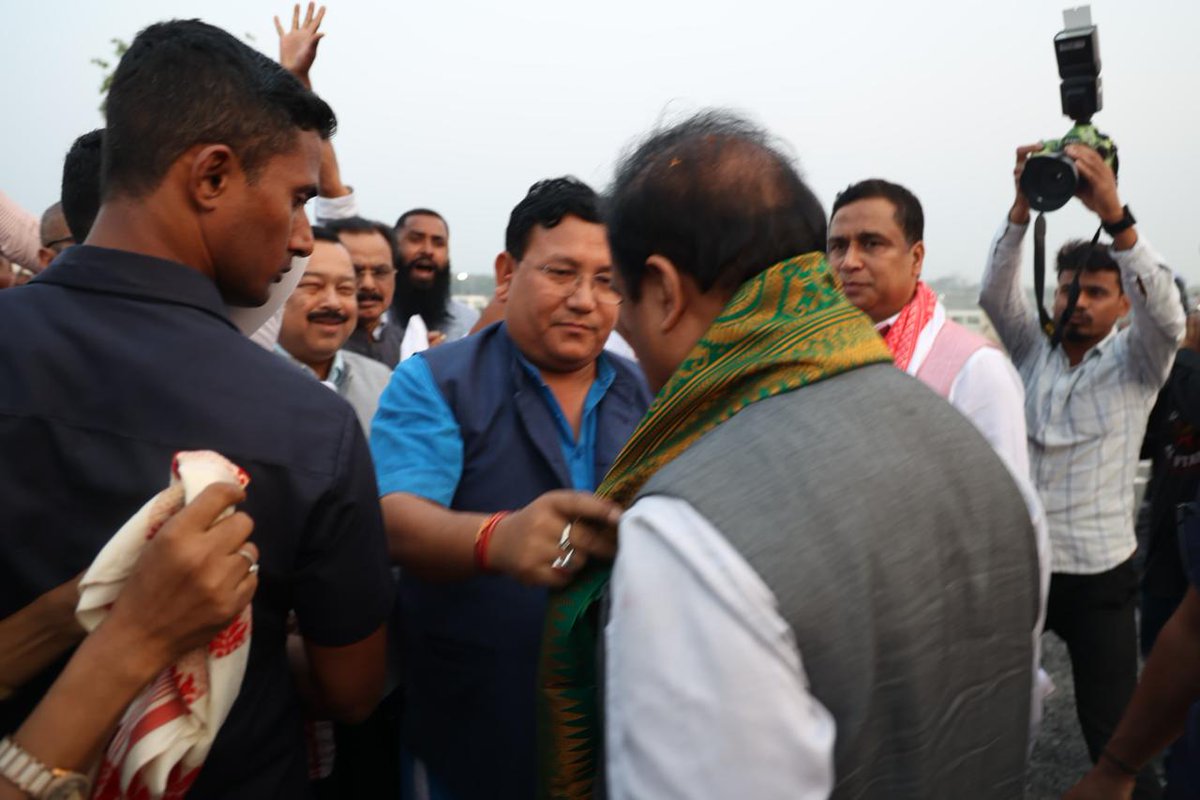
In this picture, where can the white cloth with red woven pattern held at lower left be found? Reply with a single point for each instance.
(166, 733)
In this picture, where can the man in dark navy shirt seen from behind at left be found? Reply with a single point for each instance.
(124, 354)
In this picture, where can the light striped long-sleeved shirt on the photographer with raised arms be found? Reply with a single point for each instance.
(1085, 424)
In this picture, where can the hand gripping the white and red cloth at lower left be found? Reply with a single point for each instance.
(190, 581)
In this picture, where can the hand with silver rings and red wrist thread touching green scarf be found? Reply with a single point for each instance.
(525, 545)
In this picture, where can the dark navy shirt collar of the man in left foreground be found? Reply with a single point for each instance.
(134, 275)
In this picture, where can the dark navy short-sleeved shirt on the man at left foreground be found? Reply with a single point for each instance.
(116, 362)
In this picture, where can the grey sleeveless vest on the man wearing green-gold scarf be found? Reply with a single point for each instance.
(903, 557)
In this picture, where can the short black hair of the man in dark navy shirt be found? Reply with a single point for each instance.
(184, 83)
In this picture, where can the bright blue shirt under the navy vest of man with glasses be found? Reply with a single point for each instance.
(419, 448)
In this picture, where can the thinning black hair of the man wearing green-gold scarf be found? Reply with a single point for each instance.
(717, 197)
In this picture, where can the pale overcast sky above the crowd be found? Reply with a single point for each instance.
(460, 106)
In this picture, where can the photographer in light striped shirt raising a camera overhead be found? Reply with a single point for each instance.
(1087, 405)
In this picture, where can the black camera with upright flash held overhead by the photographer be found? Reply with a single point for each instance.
(1051, 178)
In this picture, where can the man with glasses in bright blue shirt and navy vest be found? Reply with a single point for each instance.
(526, 416)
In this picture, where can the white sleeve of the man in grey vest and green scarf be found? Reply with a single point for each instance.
(706, 694)
